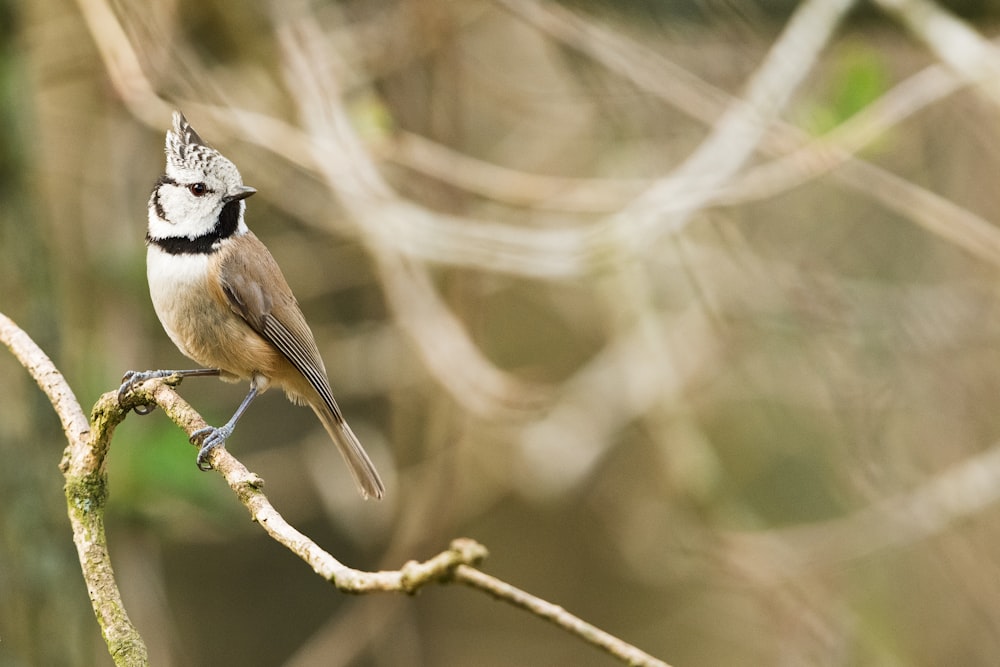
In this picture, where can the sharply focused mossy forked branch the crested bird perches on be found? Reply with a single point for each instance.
(83, 465)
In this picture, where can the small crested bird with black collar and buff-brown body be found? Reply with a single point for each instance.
(224, 302)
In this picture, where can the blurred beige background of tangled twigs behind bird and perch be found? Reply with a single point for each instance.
(689, 311)
